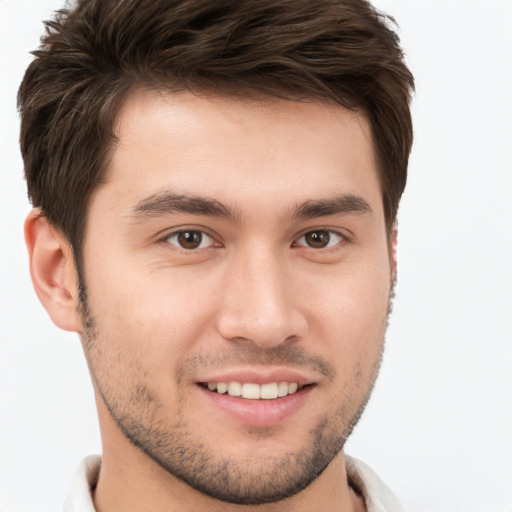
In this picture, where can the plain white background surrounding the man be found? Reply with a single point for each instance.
(438, 429)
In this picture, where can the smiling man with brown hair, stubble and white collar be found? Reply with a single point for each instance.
(215, 187)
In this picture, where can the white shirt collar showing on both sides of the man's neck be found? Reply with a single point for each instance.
(377, 497)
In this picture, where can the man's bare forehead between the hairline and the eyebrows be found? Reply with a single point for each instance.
(237, 149)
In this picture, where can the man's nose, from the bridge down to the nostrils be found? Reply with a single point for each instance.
(260, 303)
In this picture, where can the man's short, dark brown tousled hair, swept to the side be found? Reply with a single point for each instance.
(93, 54)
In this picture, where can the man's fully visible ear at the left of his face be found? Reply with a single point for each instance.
(53, 272)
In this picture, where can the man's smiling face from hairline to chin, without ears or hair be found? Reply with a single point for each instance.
(236, 244)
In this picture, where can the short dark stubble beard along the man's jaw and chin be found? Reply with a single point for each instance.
(242, 482)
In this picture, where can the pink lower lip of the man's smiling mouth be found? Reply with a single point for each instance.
(258, 412)
